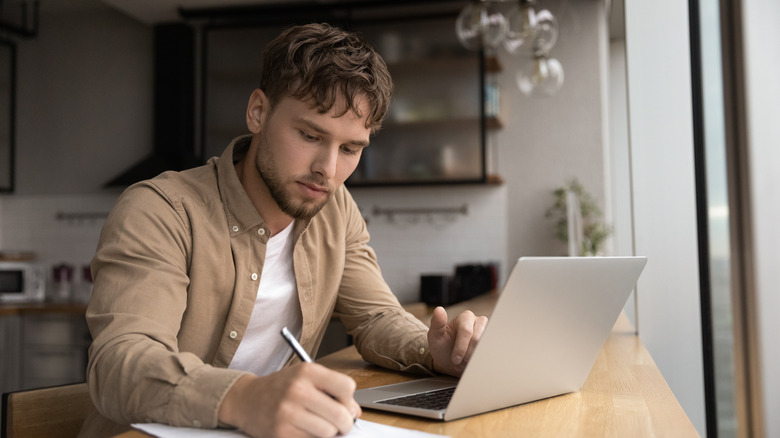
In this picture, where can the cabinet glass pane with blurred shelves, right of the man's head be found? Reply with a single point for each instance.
(433, 130)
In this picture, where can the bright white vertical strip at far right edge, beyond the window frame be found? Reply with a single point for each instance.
(762, 62)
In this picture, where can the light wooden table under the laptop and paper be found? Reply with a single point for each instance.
(625, 395)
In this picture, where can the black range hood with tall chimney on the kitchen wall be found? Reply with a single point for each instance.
(174, 106)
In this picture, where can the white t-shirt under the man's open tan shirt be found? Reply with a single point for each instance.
(262, 349)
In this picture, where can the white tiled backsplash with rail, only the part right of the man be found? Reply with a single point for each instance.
(410, 245)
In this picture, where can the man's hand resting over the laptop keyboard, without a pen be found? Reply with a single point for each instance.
(453, 342)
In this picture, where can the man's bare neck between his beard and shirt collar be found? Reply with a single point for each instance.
(254, 186)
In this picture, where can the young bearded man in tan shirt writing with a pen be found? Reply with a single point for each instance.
(197, 271)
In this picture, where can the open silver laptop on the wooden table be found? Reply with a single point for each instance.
(543, 337)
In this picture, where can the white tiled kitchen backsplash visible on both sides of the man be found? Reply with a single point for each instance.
(465, 225)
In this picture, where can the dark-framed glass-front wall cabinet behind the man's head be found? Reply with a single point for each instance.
(435, 129)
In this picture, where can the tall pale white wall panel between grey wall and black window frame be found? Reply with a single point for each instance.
(661, 136)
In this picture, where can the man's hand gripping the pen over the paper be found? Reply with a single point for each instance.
(305, 400)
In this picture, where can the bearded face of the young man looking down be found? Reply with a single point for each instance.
(304, 156)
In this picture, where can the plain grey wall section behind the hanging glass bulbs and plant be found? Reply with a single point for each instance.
(548, 141)
